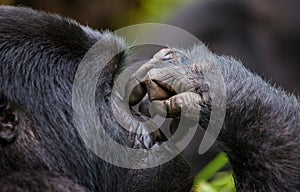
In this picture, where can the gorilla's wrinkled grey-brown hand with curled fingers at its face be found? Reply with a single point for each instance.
(173, 88)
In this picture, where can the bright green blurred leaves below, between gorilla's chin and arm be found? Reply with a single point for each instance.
(211, 179)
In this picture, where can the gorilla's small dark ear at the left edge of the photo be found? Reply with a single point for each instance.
(8, 122)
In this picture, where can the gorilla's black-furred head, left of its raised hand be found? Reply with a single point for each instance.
(39, 55)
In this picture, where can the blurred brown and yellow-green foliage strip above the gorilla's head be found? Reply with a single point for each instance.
(112, 14)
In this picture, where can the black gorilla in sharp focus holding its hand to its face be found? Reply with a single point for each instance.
(39, 57)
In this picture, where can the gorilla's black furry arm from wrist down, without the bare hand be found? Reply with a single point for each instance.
(261, 133)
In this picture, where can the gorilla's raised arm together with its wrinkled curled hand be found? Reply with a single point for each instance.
(261, 131)
